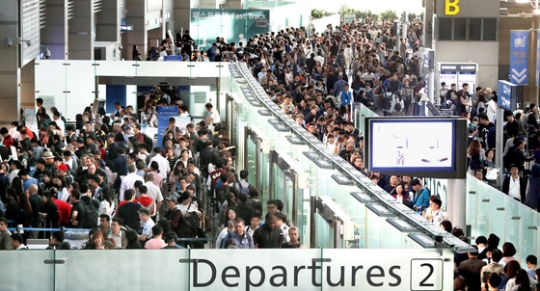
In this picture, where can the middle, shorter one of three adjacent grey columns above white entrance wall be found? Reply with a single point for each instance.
(108, 22)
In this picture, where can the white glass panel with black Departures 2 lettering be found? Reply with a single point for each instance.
(311, 269)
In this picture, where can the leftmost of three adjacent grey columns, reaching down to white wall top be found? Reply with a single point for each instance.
(81, 31)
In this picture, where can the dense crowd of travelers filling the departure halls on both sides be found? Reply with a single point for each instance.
(106, 174)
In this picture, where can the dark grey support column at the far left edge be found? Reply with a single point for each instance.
(10, 74)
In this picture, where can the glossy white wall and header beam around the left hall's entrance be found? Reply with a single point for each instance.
(70, 85)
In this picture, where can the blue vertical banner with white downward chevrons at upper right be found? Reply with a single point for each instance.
(519, 57)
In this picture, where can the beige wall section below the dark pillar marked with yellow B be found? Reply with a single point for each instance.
(485, 53)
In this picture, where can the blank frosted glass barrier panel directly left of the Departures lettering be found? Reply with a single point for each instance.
(126, 269)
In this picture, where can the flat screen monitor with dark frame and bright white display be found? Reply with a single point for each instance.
(427, 147)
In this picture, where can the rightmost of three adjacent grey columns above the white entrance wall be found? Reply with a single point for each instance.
(136, 12)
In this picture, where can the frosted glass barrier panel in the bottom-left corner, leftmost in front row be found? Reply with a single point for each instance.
(27, 270)
